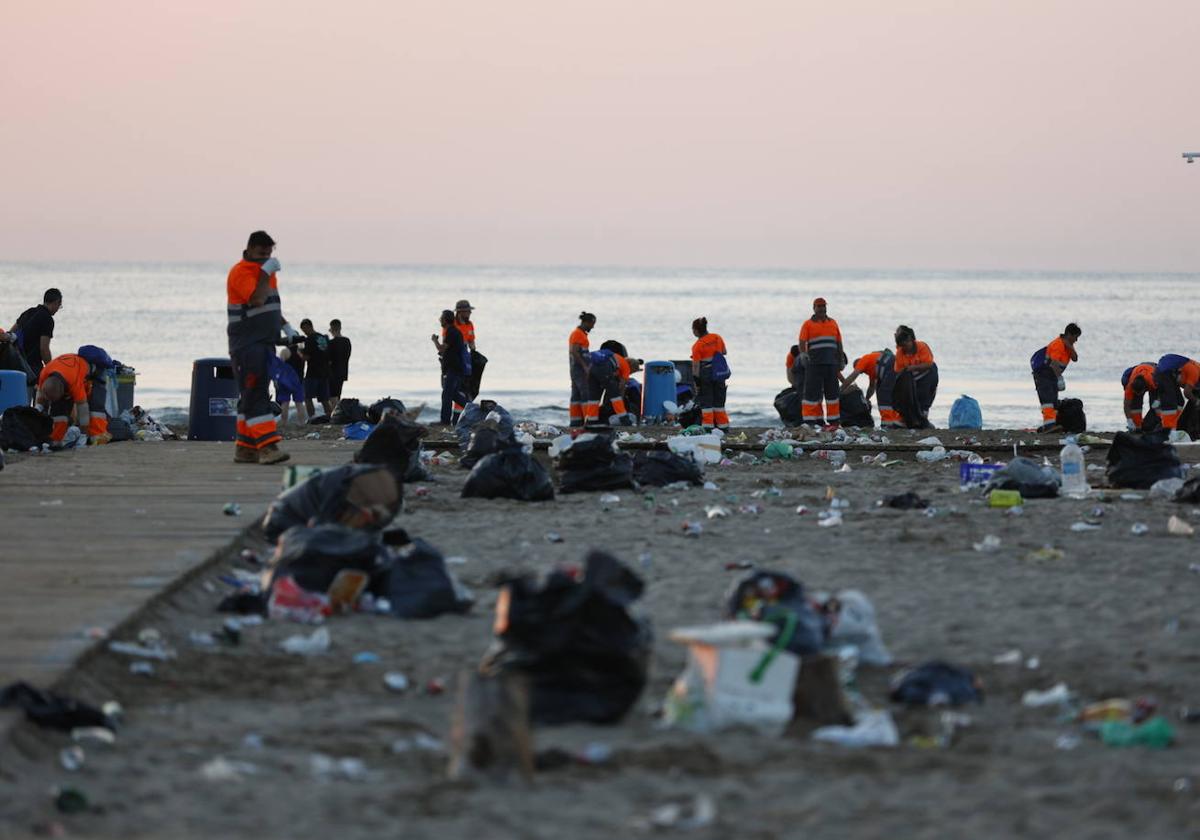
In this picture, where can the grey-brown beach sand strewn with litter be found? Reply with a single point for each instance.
(1114, 617)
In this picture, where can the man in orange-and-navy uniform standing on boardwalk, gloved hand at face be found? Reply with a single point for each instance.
(256, 319)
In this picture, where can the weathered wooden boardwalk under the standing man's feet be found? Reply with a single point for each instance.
(88, 537)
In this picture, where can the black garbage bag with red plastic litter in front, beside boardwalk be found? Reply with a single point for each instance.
(314, 557)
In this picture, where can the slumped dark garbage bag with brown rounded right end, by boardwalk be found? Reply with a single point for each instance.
(359, 496)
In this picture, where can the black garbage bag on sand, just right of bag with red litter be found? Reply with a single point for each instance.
(418, 585)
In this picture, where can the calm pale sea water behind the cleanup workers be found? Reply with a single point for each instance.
(982, 327)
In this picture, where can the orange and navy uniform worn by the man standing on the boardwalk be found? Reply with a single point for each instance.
(253, 333)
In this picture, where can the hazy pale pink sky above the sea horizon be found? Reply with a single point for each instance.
(883, 134)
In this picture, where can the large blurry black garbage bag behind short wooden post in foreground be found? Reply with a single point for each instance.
(584, 652)
